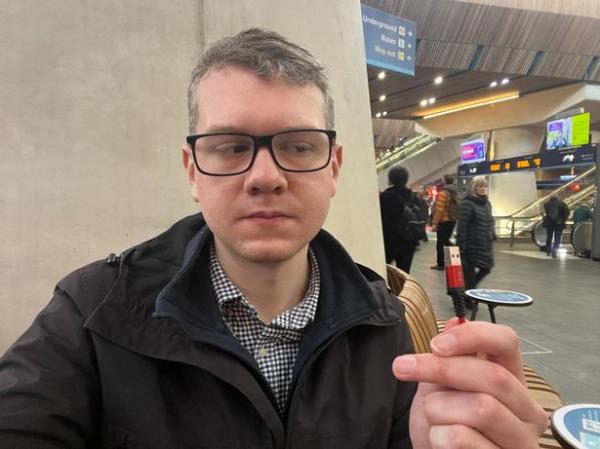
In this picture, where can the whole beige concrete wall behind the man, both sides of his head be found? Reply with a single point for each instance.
(93, 107)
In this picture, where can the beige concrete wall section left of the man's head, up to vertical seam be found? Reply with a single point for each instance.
(93, 113)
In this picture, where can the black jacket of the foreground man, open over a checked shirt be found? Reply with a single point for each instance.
(133, 353)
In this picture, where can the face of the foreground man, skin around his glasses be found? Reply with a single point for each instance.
(264, 215)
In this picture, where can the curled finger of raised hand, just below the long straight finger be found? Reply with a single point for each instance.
(481, 412)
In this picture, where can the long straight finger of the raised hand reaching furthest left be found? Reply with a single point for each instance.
(467, 373)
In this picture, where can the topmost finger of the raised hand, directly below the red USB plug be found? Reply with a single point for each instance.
(499, 343)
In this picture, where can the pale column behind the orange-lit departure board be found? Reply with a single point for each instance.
(509, 192)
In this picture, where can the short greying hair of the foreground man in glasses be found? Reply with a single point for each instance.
(268, 55)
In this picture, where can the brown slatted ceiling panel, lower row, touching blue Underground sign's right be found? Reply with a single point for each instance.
(448, 55)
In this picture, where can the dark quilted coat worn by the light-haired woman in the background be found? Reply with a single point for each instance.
(475, 231)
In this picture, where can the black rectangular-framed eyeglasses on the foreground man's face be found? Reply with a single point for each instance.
(228, 154)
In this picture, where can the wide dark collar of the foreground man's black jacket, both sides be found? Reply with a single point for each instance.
(169, 276)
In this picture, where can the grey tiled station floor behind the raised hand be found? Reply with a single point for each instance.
(560, 331)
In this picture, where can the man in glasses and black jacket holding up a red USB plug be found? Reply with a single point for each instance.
(249, 327)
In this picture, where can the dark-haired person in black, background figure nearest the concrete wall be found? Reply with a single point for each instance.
(399, 238)
